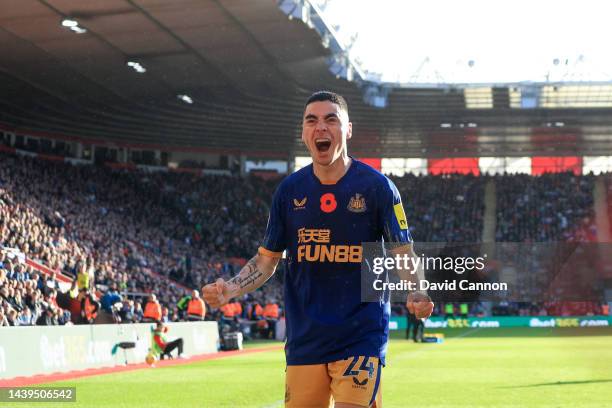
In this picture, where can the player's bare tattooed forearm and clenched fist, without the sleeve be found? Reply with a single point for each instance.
(254, 274)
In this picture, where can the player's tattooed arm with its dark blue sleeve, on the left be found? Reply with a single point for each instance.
(259, 268)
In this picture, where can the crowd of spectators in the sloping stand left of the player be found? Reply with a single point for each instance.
(143, 232)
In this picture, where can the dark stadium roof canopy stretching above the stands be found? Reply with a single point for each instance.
(246, 69)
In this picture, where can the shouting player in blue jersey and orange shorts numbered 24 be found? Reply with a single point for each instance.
(321, 215)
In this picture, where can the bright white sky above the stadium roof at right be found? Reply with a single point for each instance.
(477, 41)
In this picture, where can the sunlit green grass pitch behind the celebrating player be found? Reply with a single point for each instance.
(509, 368)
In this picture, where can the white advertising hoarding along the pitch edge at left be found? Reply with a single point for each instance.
(31, 350)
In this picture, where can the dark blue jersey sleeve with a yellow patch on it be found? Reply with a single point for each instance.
(392, 215)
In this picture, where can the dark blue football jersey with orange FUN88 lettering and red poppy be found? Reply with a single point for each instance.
(322, 228)
